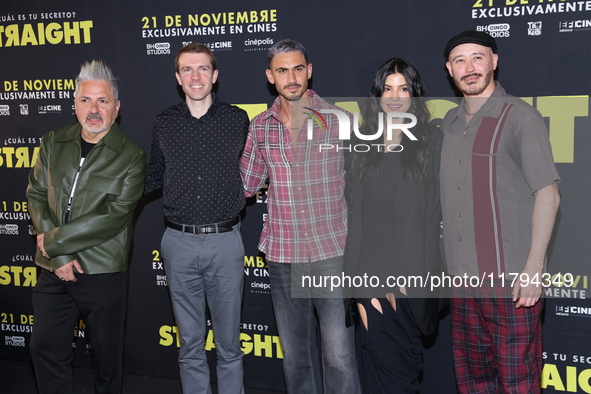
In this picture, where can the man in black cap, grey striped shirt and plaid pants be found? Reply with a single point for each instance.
(499, 199)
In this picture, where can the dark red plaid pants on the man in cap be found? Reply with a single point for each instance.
(496, 348)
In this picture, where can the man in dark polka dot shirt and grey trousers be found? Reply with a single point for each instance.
(196, 149)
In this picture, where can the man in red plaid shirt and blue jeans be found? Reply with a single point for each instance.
(306, 225)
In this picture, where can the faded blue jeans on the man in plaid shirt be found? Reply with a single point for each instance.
(297, 326)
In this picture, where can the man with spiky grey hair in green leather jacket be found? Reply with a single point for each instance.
(82, 194)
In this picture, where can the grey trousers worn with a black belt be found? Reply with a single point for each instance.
(199, 268)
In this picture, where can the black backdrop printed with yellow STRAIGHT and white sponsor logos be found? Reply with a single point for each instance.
(543, 57)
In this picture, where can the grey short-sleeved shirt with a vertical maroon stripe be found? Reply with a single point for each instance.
(490, 170)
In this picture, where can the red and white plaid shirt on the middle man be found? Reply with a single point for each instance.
(307, 213)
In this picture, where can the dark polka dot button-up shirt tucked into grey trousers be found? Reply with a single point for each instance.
(196, 162)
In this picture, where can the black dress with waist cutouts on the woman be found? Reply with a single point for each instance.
(390, 350)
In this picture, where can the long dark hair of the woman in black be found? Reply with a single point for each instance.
(414, 153)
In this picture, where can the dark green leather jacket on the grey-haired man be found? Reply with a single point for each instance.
(111, 181)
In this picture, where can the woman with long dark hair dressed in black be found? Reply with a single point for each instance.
(394, 221)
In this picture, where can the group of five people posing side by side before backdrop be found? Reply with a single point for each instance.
(330, 211)
